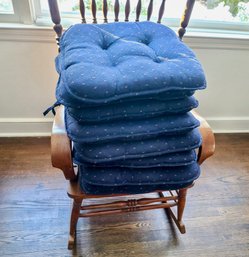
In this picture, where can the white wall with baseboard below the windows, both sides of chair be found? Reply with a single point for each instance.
(28, 80)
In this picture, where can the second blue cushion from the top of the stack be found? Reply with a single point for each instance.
(130, 110)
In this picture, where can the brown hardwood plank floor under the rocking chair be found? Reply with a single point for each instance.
(34, 209)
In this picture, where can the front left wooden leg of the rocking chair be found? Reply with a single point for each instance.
(73, 222)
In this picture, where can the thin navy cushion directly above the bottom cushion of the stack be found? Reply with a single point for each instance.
(164, 160)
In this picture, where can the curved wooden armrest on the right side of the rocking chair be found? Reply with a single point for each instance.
(208, 141)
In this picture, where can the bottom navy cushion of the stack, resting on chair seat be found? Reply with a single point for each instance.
(128, 180)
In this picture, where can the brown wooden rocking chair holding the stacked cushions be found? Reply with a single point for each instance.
(61, 143)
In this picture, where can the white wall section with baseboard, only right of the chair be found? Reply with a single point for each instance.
(225, 102)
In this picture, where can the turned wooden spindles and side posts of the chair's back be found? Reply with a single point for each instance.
(55, 14)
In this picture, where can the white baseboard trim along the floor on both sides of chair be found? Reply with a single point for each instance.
(41, 127)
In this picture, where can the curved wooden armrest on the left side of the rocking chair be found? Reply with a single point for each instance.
(61, 150)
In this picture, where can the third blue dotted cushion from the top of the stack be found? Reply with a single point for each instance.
(128, 130)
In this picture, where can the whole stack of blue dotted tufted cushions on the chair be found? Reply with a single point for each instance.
(128, 90)
